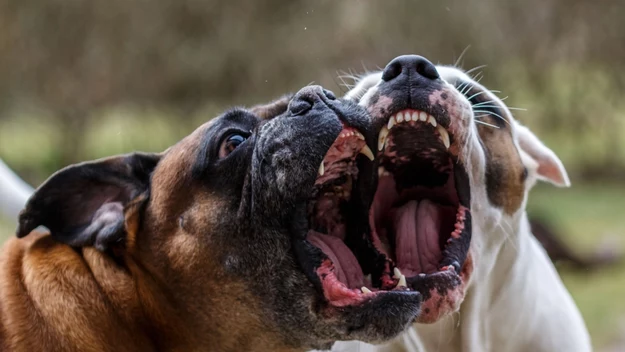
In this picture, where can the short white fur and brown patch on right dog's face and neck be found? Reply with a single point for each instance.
(515, 299)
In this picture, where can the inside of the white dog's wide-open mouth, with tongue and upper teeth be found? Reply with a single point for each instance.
(421, 199)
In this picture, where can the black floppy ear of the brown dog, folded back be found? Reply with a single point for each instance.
(86, 204)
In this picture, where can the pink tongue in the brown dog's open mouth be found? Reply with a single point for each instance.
(346, 266)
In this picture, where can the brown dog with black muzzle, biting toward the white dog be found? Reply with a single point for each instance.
(205, 246)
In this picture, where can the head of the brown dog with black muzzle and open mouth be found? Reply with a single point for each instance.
(237, 234)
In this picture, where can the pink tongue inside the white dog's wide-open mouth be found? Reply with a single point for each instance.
(417, 227)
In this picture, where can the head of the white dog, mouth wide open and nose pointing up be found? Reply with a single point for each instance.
(451, 162)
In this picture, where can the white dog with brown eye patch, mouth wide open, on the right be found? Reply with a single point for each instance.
(505, 294)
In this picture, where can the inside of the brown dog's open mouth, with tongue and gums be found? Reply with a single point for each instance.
(345, 271)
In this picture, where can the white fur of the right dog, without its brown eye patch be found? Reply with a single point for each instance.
(515, 299)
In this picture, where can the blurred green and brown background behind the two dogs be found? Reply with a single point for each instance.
(85, 79)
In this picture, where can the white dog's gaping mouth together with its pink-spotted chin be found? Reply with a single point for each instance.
(420, 216)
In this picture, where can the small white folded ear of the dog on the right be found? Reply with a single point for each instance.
(548, 166)
